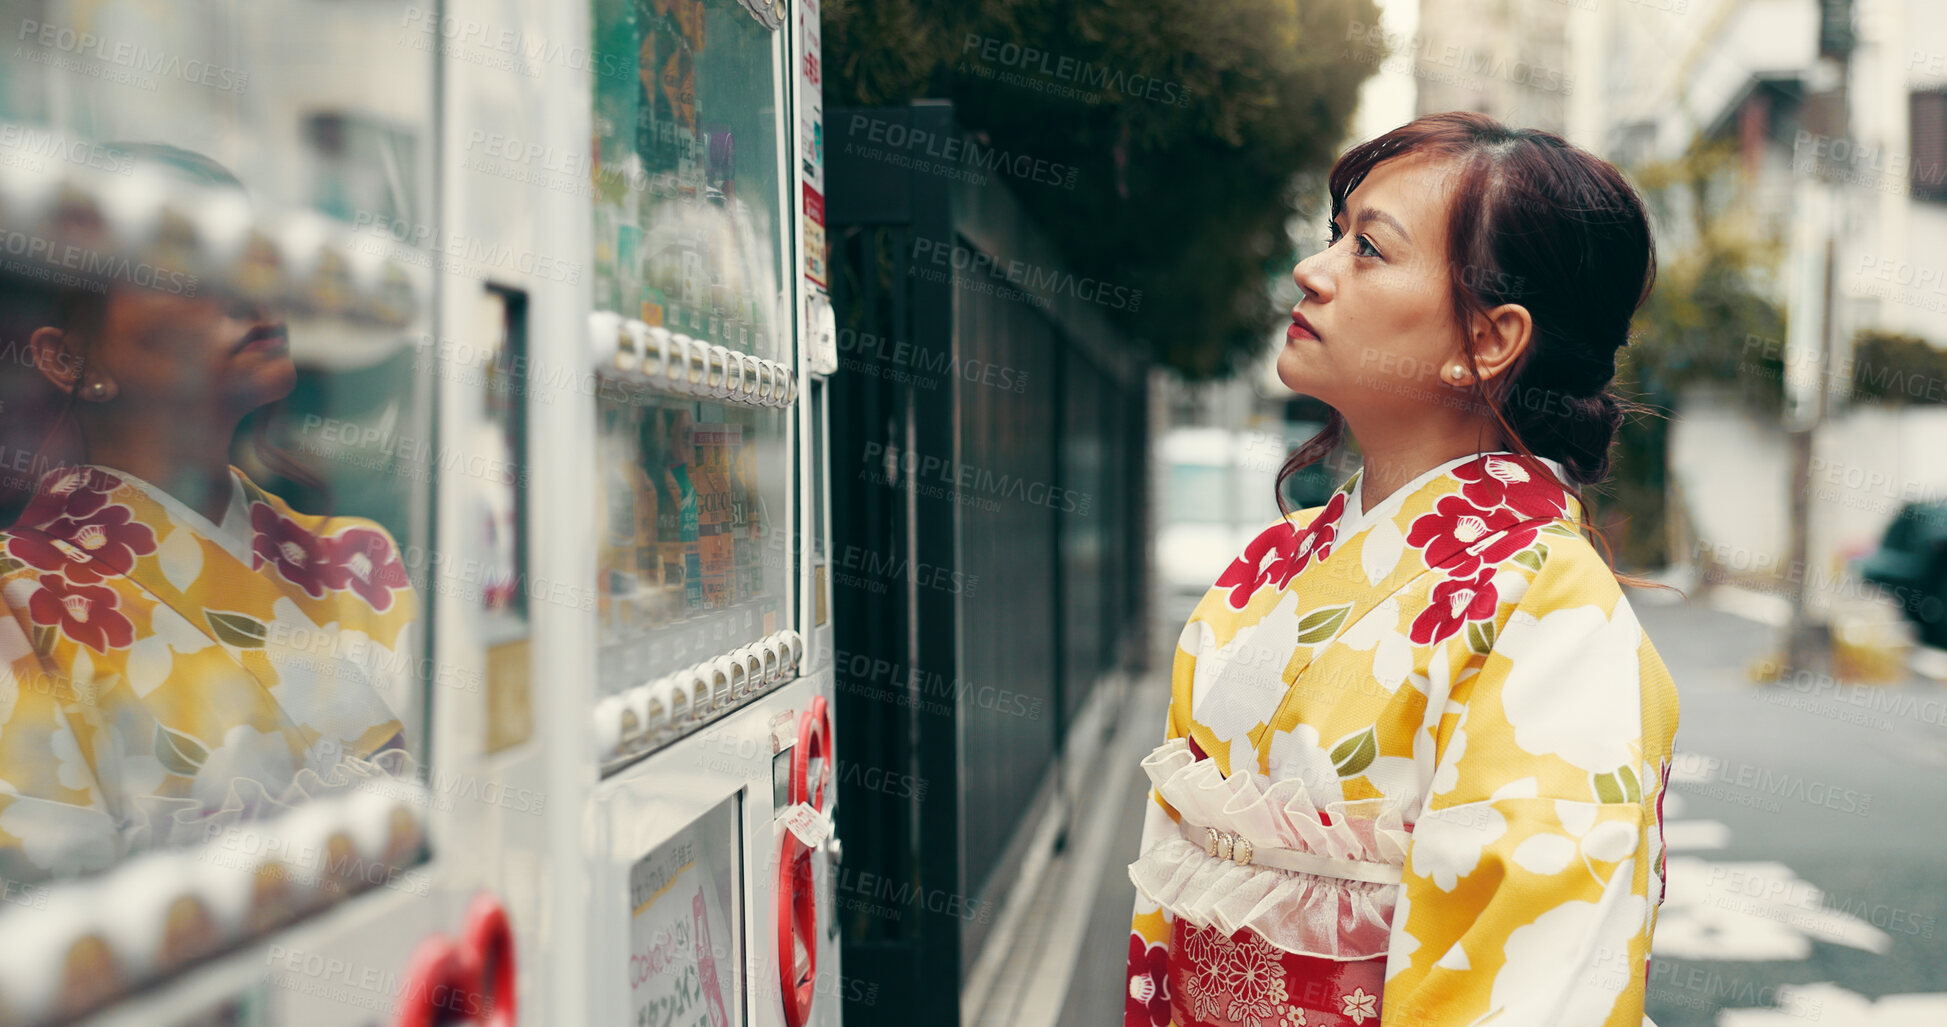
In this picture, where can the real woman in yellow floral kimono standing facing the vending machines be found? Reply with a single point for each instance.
(1418, 743)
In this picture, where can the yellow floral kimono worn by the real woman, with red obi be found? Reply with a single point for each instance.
(1413, 775)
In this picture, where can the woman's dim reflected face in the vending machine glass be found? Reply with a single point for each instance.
(194, 354)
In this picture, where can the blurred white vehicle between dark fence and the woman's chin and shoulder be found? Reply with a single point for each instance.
(1218, 494)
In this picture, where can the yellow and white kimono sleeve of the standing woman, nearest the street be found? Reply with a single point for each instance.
(1533, 876)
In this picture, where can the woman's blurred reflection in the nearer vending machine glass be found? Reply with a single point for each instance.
(182, 646)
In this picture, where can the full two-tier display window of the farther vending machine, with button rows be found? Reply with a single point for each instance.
(694, 348)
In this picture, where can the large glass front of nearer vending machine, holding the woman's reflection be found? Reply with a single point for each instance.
(215, 558)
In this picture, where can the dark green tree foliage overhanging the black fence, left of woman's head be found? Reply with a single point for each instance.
(1191, 155)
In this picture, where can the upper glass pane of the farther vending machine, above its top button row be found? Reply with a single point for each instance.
(688, 229)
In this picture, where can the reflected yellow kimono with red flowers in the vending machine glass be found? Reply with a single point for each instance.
(165, 675)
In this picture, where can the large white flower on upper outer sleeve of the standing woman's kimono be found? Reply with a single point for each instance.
(1574, 685)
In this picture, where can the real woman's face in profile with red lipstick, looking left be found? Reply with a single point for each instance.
(1379, 301)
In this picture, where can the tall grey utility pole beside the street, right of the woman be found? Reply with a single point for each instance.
(1814, 324)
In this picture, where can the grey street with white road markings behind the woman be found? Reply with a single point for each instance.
(1804, 829)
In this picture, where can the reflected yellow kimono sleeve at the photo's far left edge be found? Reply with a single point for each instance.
(54, 818)
